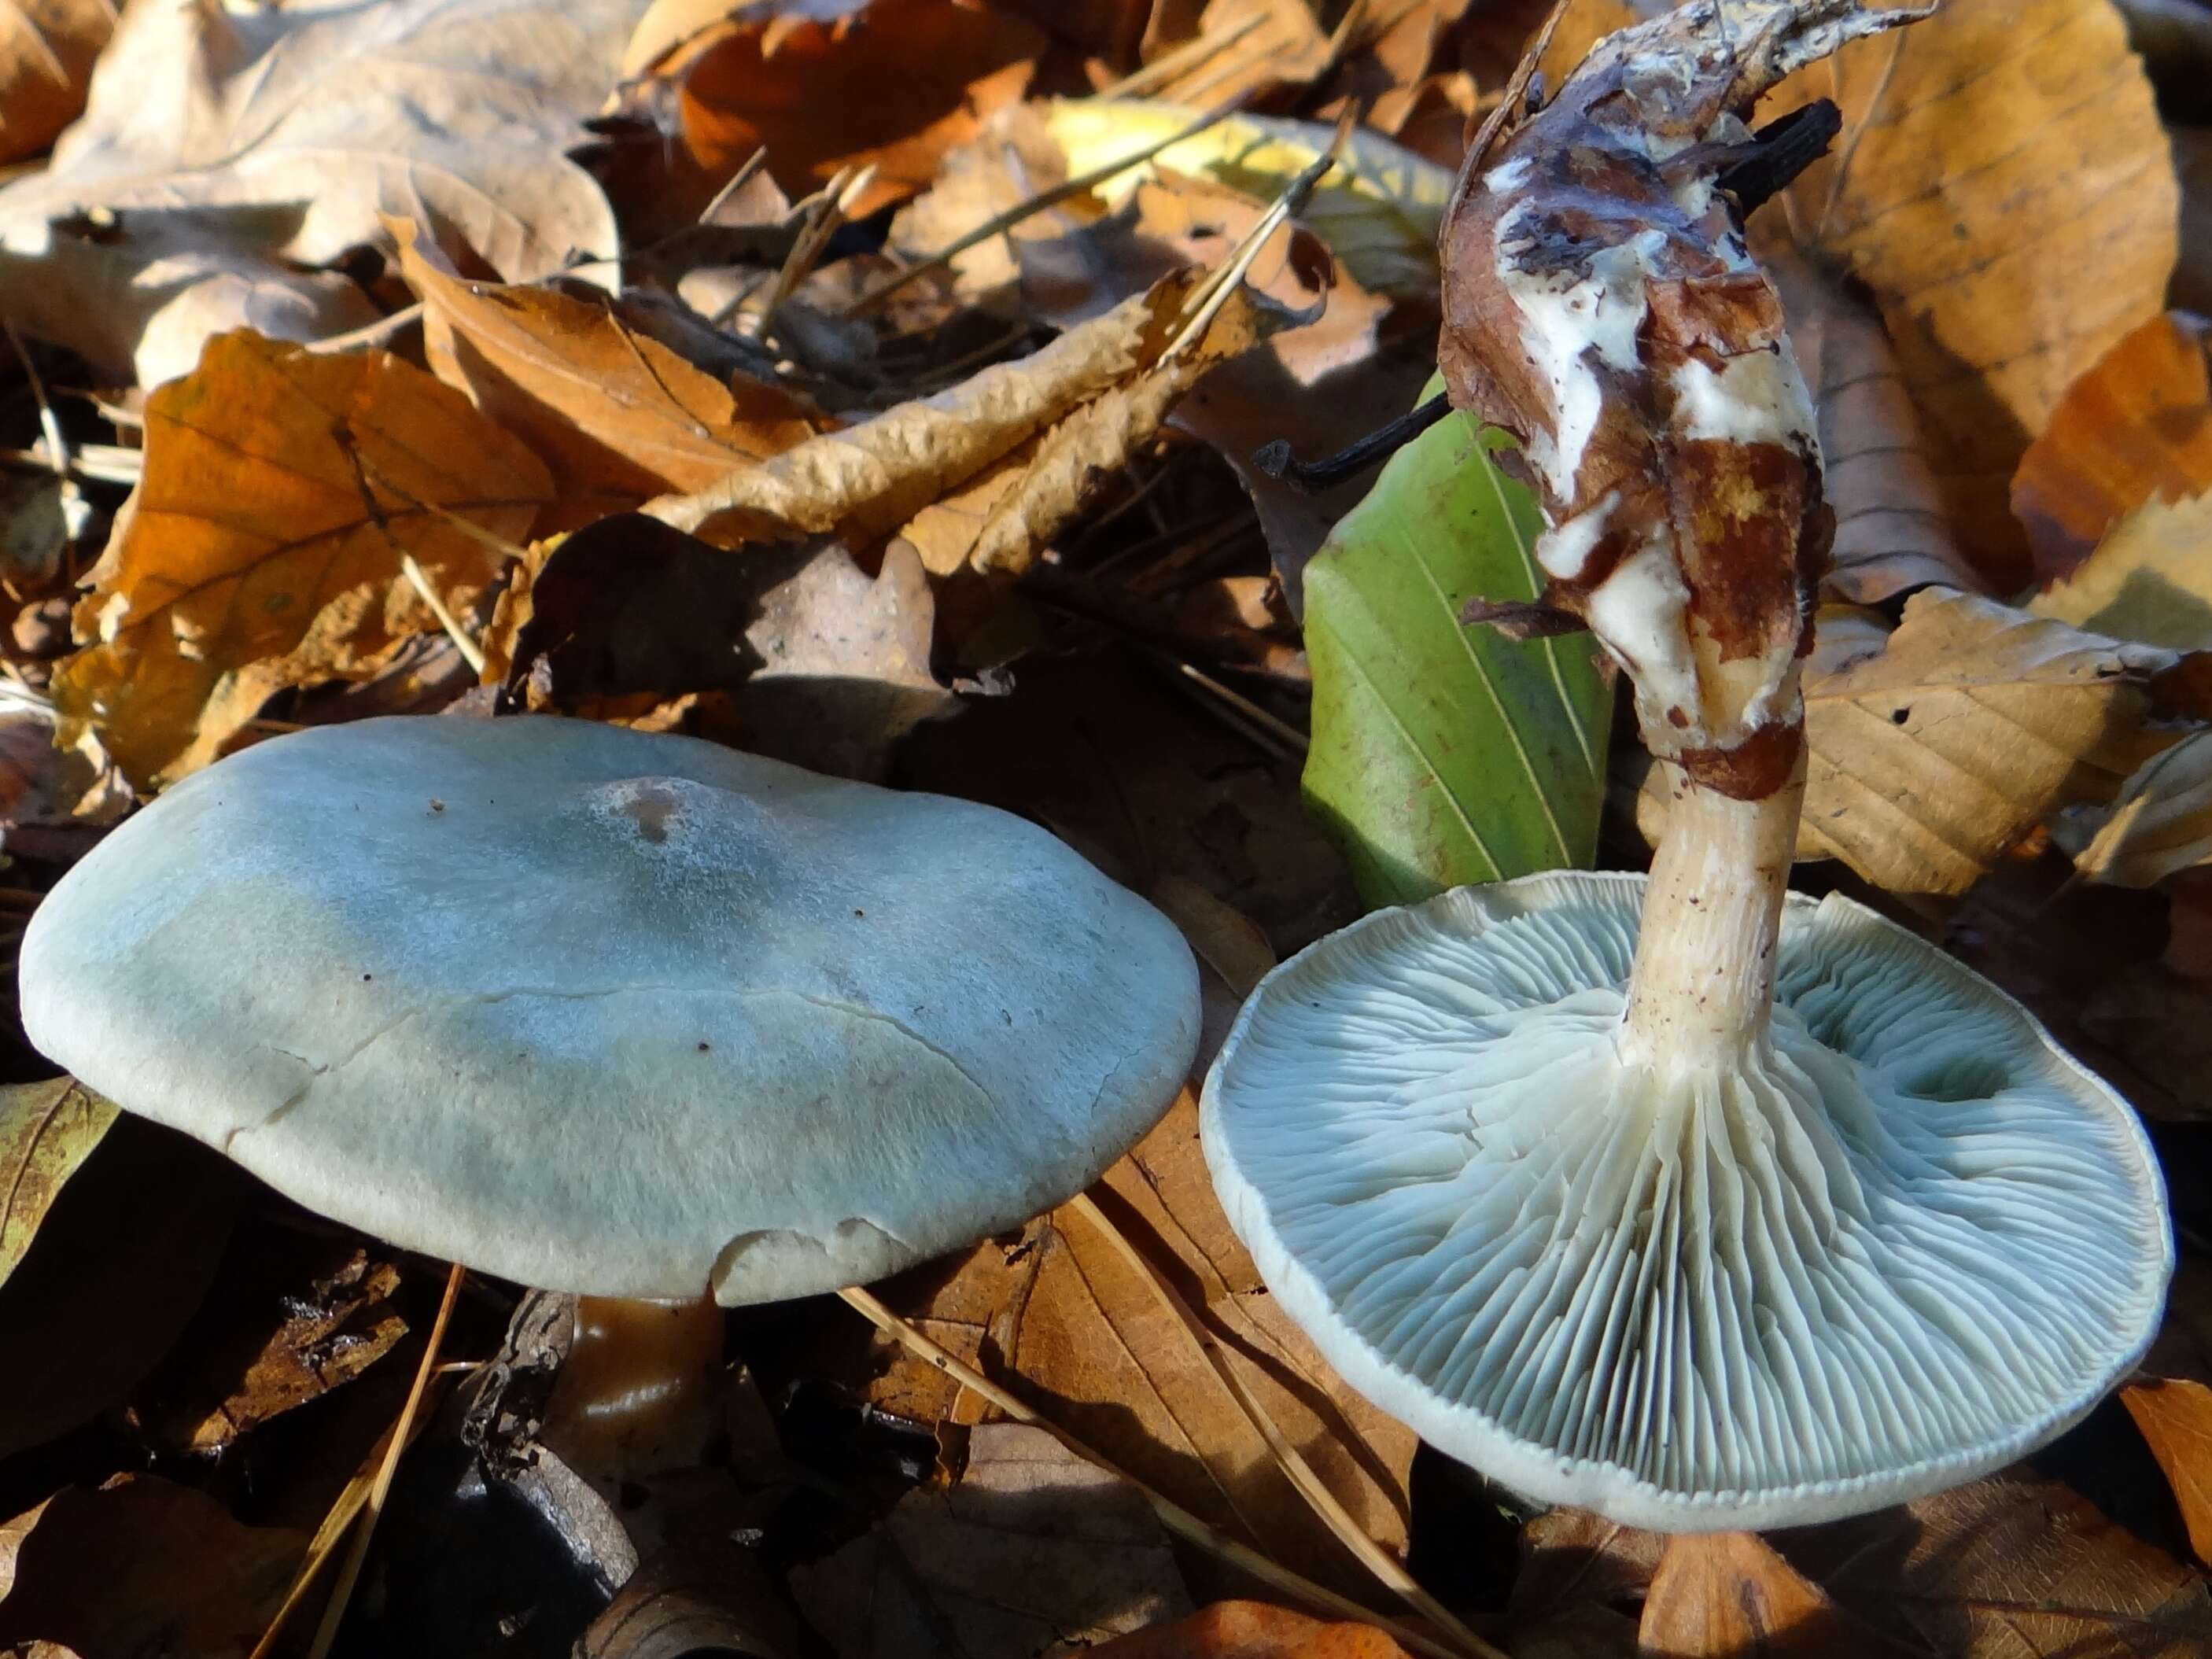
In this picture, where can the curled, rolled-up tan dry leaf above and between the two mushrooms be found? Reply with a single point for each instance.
(1081, 404)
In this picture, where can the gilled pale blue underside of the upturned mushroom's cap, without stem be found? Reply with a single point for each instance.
(1903, 1246)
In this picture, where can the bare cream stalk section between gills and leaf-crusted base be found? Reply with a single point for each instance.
(1702, 990)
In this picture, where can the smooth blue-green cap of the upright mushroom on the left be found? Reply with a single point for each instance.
(612, 1012)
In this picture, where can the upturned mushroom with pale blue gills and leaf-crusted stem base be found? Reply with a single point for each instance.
(1680, 1198)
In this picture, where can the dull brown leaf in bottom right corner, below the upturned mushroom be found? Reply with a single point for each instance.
(2007, 1569)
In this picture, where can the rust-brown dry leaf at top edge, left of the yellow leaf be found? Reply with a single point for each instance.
(822, 87)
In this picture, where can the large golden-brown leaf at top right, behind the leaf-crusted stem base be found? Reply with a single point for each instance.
(1983, 154)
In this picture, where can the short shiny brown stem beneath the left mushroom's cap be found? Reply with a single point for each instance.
(638, 1388)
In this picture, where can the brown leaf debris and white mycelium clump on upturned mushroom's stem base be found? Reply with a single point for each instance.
(1603, 306)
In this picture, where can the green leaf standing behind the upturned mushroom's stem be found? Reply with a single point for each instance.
(1446, 755)
